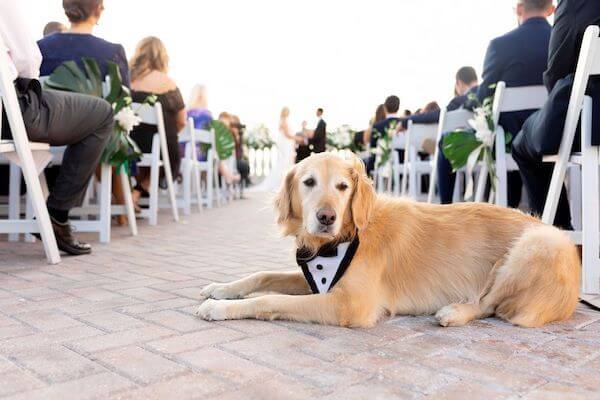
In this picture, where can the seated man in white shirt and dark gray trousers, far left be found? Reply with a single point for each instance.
(82, 123)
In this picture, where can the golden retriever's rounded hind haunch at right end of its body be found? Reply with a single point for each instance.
(538, 282)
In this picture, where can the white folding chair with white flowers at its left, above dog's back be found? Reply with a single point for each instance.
(507, 100)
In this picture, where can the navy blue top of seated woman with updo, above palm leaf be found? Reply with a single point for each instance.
(60, 47)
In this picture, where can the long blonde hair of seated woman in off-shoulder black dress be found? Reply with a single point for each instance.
(150, 55)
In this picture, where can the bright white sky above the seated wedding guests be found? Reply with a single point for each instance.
(343, 55)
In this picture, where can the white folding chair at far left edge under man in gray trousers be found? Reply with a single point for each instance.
(32, 158)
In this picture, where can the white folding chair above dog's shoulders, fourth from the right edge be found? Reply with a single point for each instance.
(413, 167)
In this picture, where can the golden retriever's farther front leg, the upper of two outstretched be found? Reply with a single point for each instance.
(292, 282)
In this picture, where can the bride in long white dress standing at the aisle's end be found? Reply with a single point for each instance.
(285, 141)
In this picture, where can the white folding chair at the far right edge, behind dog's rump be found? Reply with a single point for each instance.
(589, 159)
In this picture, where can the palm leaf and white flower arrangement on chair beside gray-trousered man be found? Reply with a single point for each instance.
(121, 149)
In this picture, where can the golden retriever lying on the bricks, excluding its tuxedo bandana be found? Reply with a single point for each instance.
(462, 261)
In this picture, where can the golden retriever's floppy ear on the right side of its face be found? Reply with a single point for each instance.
(363, 196)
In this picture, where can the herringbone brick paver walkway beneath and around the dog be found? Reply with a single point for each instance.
(119, 324)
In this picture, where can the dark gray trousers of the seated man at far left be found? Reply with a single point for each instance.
(82, 123)
